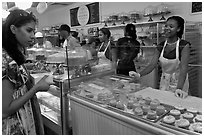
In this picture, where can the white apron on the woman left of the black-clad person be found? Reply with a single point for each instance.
(101, 55)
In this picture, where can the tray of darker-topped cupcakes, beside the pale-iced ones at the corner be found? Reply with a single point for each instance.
(140, 108)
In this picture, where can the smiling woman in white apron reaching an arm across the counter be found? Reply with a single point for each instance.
(173, 55)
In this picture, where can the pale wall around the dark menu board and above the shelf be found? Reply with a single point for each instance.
(62, 15)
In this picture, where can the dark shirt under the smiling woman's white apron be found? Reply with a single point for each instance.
(172, 54)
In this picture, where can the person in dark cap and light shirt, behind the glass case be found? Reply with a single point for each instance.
(70, 41)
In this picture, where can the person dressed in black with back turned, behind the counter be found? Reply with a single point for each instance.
(126, 50)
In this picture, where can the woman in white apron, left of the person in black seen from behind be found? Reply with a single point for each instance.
(105, 49)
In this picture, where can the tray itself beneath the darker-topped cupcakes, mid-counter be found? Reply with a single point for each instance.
(130, 113)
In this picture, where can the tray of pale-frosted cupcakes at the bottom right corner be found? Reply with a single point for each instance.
(188, 120)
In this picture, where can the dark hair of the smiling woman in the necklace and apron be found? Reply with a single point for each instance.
(180, 21)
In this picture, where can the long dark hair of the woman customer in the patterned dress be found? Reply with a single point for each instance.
(17, 18)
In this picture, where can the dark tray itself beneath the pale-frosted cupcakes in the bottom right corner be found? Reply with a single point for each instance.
(187, 130)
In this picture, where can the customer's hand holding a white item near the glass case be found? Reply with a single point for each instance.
(44, 83)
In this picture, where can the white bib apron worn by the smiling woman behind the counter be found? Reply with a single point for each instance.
(170, 72)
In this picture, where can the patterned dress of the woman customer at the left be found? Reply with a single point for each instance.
(22, 121)
